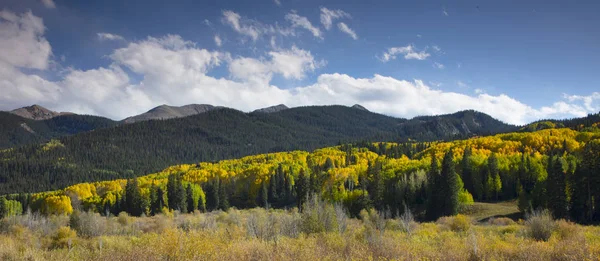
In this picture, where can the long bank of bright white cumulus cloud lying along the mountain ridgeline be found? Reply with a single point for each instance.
(177, 72)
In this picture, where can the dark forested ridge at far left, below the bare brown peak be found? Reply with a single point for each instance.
(17, 131)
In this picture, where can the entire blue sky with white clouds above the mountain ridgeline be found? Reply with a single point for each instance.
(518, 62)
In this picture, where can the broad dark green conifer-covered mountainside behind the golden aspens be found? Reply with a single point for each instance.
(145, 147)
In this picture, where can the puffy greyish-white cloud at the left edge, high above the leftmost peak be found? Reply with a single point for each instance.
(22, 43)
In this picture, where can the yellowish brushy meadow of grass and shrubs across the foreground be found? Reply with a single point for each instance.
(259, 234)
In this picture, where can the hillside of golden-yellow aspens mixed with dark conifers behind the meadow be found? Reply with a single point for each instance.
(556, 169)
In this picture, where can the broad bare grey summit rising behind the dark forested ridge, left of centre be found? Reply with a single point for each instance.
(165, 112)
